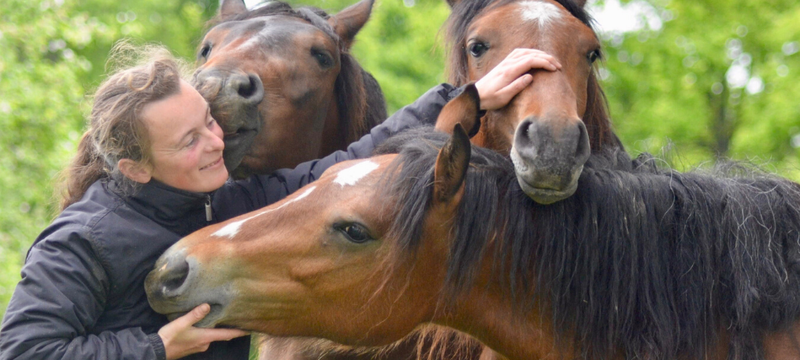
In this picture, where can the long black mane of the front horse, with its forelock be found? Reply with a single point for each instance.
(641, 261)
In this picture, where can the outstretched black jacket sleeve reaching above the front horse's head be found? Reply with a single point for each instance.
(242, 196)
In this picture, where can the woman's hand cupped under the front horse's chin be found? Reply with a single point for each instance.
(180, 338)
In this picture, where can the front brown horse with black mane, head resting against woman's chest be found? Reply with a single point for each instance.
(629, 267)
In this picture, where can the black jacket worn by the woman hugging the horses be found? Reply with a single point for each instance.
(82, 295)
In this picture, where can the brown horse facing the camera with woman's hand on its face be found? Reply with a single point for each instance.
(552, 126)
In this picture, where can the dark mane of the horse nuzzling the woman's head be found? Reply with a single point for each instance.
(360, 100)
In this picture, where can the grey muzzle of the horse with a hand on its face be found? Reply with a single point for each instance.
(548, 159)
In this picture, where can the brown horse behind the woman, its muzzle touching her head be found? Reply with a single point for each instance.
(282, 85)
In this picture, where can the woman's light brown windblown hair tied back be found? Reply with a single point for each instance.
(139, 76)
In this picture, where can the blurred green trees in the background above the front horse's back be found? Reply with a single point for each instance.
(716, 78)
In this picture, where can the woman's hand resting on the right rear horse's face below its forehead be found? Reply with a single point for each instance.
(510, 76)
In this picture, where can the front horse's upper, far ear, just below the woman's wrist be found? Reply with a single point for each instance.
(464, 110)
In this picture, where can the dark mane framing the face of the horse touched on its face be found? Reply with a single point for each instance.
(596, 118)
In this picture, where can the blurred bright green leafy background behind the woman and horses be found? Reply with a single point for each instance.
(703, 78)
